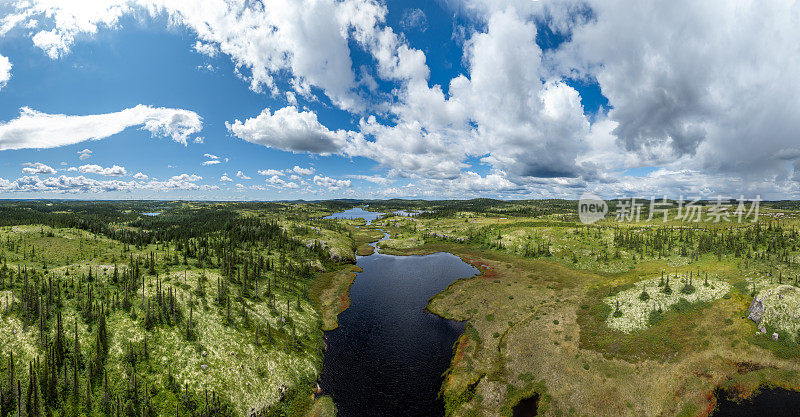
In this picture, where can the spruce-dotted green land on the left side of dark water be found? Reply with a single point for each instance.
(205, 309)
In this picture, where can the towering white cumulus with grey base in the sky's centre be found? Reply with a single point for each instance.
(506, 109)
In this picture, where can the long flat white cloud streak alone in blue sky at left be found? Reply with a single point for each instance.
(33, 129)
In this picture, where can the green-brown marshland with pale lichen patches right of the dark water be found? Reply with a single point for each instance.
(644, 318)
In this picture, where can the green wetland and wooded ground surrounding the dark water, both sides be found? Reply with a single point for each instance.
(220, 308)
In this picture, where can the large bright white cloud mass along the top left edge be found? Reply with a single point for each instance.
(309, 40)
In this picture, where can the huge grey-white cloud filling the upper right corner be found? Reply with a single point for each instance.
(697, 99)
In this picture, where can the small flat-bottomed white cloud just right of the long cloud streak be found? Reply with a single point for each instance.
(290, 130)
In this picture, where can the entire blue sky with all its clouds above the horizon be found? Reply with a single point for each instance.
(363, 98)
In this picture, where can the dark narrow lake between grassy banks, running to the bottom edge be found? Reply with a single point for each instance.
(388, 356)
